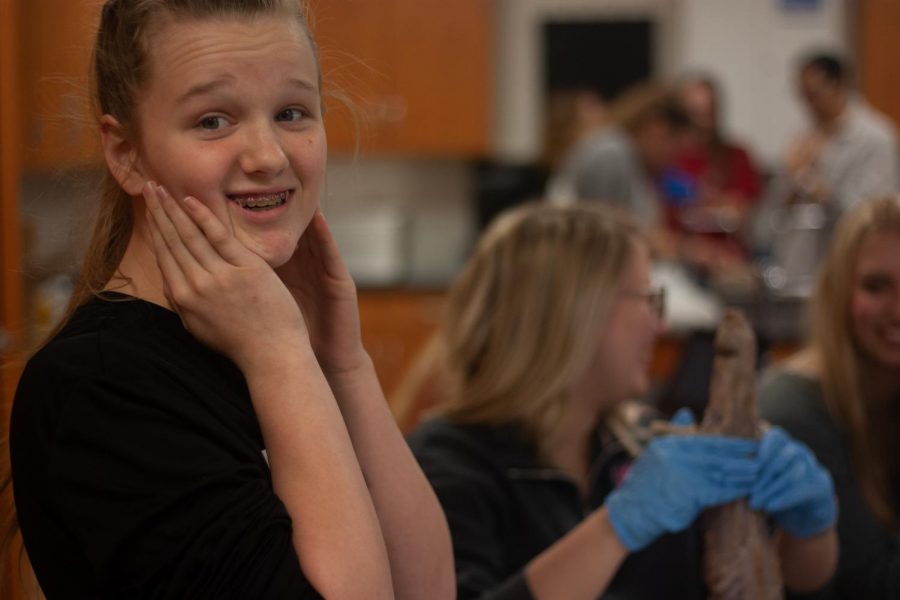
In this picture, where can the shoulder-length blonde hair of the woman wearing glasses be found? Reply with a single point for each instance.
(524, 317)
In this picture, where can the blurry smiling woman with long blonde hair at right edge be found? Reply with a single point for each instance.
(841, 395)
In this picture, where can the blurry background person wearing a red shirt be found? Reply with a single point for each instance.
(711, 191)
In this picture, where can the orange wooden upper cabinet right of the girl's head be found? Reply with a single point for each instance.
(416, 71)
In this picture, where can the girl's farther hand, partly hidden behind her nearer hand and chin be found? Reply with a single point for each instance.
(320, 283)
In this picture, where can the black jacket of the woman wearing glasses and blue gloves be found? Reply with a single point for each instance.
(504, 508)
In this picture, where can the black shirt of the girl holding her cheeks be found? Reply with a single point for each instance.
(138, 466)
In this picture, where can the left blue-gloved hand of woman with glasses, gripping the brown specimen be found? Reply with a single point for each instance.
(675, 479)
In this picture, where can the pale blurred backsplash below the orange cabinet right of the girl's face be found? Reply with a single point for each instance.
(401, 220)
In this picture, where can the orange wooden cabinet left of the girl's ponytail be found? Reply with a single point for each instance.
(59, 129)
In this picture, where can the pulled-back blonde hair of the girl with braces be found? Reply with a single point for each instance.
(121, 71)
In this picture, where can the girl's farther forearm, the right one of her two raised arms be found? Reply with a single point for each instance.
(412, 522)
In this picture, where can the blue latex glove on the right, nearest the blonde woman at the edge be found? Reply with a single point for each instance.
(793, 487)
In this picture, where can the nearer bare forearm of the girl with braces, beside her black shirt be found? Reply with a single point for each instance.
(315, 473)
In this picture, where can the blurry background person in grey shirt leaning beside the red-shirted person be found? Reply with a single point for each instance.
(619, 163)
